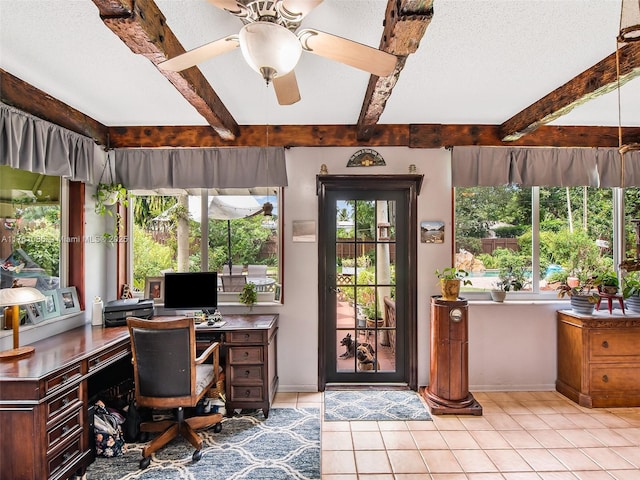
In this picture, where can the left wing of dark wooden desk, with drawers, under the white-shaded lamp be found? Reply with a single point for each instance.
(43, 403)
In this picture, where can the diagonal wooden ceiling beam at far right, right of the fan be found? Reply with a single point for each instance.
(593, 82)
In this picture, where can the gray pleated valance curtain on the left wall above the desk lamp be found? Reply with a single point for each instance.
(29, 143)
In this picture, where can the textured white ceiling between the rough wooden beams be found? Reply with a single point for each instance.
(479, 62)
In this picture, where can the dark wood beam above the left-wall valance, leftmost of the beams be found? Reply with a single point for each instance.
(29, 99)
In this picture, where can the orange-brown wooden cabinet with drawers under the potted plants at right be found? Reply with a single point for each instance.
(599, 359)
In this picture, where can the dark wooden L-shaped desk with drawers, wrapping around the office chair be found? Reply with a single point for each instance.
(44, 398)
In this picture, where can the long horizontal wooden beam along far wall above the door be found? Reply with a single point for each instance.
(414, 136)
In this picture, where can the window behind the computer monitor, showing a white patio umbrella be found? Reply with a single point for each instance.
(200, 230)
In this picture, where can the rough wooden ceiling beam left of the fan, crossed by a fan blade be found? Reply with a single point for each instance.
(143, 28)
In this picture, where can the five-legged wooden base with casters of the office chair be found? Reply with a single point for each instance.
(186, 427)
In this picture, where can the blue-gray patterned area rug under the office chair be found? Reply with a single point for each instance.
(285, 446)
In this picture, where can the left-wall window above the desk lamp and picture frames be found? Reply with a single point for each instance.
(30, 235)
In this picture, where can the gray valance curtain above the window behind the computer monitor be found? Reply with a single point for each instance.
(201, 167)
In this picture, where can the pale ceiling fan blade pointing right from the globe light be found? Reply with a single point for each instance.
(348, 52)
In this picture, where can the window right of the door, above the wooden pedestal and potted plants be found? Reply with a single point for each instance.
(544, 233)
